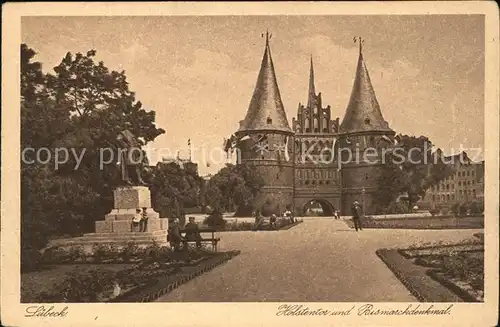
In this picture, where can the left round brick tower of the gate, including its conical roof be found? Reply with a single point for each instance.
(264, 139)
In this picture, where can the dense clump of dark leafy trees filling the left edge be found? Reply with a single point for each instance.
(82, 107)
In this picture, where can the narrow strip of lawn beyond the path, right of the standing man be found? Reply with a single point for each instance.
(422, 223)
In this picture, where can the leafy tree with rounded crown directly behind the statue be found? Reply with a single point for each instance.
(100, 105)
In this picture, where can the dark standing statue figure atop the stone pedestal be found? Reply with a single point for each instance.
(130, 158)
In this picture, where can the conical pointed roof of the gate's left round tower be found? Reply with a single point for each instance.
(266, 111)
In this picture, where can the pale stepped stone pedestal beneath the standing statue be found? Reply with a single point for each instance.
(116, 227)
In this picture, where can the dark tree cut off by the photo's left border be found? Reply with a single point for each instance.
(42, 123)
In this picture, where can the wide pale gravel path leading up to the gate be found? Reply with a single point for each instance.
(319, 260)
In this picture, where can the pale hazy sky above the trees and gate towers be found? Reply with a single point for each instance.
(198, 73)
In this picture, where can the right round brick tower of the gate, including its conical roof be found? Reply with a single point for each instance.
(363, 134)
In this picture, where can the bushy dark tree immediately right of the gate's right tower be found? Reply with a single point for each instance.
(409, 167)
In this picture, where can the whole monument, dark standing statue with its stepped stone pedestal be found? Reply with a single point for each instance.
(116, 228)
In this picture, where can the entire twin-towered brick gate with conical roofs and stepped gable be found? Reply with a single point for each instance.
(300, 164)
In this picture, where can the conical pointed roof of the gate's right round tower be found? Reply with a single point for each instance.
(363, 111)
